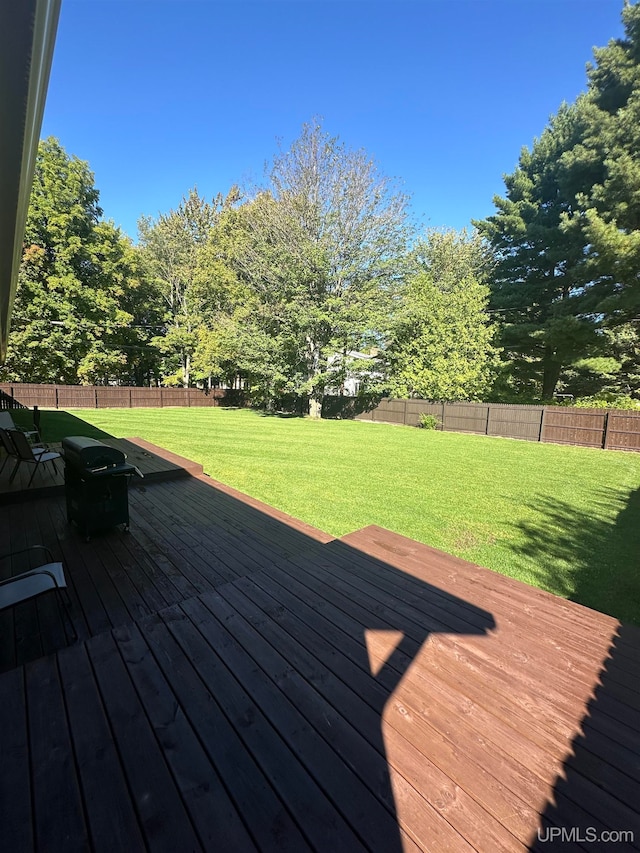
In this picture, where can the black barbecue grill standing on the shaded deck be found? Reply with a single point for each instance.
(96, 479)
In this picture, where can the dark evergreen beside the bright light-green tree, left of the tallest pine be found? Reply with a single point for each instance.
(537, 288)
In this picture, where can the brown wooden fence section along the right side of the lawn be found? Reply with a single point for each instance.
(611, 429)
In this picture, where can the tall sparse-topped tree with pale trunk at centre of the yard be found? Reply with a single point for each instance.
(322, 251)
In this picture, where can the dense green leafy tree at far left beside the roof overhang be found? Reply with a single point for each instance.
(73, 310)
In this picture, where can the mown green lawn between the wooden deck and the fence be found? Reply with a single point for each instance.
(563, 518)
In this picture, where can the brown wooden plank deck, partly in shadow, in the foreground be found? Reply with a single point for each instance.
(246, 682)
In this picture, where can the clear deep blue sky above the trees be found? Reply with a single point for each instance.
(163, 95)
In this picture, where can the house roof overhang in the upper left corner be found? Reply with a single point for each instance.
(27, 37)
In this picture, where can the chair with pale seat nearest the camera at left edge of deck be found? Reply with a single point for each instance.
(48, 577)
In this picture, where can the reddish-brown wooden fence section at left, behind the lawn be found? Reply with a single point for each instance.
(105, 396)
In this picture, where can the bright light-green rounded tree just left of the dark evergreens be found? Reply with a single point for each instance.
(442, 346)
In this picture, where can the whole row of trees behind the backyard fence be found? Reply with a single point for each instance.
(318, 278)
